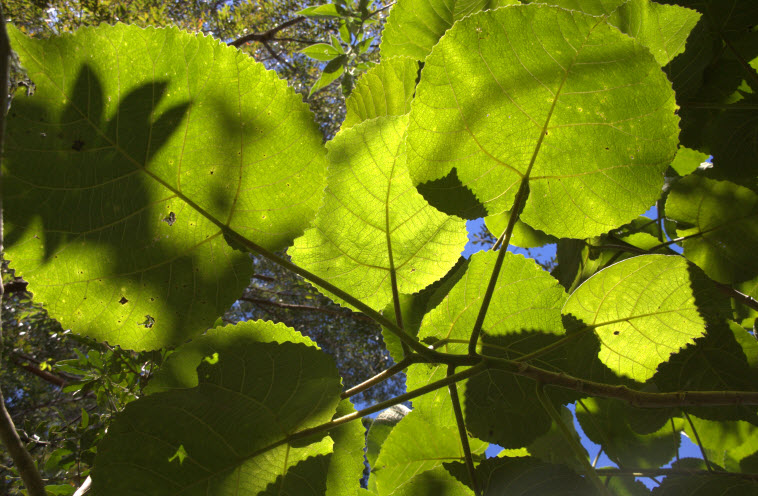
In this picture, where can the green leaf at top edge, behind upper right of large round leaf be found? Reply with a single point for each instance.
(663, 29)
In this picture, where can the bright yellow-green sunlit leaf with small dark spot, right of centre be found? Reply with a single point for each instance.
(646, 304)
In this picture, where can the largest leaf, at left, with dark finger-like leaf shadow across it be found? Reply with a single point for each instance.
(138, 150)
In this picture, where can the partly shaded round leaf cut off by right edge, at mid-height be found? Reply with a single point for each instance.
(720, 221)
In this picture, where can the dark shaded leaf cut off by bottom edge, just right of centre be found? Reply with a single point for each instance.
(530, 477)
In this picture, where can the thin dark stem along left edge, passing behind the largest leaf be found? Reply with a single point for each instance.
(8, 435)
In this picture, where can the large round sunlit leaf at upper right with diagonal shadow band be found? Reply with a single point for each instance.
(582, 109)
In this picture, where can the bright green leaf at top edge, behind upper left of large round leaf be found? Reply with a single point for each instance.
(415, 26)
